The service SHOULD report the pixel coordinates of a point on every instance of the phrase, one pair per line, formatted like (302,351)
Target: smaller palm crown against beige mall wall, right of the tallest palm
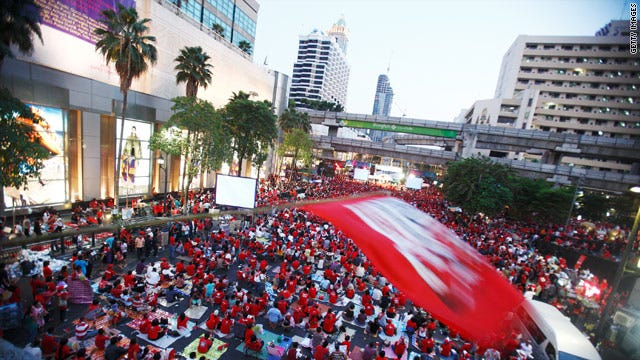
(193,69)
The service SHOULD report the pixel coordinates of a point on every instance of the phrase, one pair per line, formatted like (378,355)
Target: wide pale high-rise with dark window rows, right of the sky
(587,85)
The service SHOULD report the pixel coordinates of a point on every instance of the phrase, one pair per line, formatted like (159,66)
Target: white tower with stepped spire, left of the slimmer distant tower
(321,71)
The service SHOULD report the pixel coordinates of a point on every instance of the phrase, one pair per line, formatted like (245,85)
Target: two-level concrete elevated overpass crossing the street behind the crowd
(457,137)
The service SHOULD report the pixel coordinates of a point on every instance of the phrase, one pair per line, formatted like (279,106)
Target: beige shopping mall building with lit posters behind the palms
(69,83)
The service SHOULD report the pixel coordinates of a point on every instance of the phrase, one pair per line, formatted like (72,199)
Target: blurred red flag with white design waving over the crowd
(428,262)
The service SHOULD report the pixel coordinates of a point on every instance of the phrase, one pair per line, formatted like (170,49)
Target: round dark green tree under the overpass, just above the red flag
(479,185)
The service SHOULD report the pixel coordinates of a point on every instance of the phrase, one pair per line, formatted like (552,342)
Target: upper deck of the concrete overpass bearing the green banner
(426,132)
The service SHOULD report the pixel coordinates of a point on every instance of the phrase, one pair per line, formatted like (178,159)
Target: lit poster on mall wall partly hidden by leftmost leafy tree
(52,186)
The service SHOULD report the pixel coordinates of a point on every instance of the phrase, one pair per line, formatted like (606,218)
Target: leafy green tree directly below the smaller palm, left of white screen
(196,132)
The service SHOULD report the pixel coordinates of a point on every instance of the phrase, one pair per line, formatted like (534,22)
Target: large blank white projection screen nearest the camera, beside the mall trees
(235,191)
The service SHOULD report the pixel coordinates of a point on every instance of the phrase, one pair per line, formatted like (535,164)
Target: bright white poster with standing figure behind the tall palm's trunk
(134,170)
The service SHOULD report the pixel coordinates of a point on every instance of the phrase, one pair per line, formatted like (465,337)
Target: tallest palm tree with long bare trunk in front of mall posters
(124,43)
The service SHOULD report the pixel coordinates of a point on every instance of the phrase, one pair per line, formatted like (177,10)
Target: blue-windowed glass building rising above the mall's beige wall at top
(237,18)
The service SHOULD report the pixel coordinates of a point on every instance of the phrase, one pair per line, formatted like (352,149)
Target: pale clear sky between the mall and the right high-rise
(441,55)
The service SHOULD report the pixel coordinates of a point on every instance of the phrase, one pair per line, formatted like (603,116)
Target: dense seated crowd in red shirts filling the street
(319,280)
